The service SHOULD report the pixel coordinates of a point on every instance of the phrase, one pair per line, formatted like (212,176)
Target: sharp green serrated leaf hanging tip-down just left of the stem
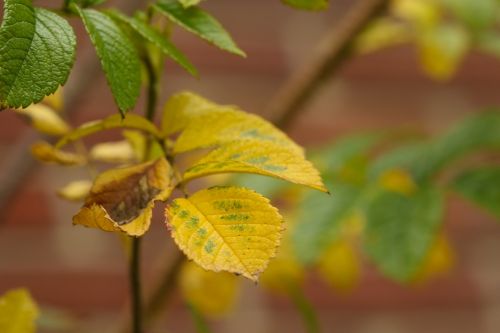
(118,57)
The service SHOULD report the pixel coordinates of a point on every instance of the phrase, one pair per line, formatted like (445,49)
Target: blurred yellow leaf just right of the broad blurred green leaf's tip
(439,261)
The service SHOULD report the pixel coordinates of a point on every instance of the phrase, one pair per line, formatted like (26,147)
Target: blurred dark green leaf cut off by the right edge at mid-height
(482,186)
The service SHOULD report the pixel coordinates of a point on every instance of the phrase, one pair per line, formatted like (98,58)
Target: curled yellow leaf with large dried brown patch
(122,199)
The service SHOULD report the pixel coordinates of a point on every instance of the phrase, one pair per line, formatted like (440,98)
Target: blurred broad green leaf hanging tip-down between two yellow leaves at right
(401,229)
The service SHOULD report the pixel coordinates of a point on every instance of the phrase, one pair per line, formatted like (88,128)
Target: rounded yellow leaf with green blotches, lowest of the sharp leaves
(226,228)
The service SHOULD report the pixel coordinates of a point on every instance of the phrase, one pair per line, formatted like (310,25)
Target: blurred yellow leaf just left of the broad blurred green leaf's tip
(340,267)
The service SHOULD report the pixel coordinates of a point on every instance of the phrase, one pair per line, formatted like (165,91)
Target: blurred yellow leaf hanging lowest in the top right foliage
(442,50)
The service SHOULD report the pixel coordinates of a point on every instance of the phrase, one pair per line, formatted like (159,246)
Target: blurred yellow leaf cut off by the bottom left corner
(18,312)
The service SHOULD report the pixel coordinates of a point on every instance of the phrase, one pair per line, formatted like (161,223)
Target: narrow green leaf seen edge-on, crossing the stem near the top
(158,39)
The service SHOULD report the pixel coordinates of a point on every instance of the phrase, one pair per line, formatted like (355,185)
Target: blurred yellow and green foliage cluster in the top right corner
(443,31)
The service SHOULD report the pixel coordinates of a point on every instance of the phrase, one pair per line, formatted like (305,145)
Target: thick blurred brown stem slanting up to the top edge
(330,54)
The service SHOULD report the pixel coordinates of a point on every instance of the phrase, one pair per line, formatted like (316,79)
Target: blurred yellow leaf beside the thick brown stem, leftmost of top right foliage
(382,33)
